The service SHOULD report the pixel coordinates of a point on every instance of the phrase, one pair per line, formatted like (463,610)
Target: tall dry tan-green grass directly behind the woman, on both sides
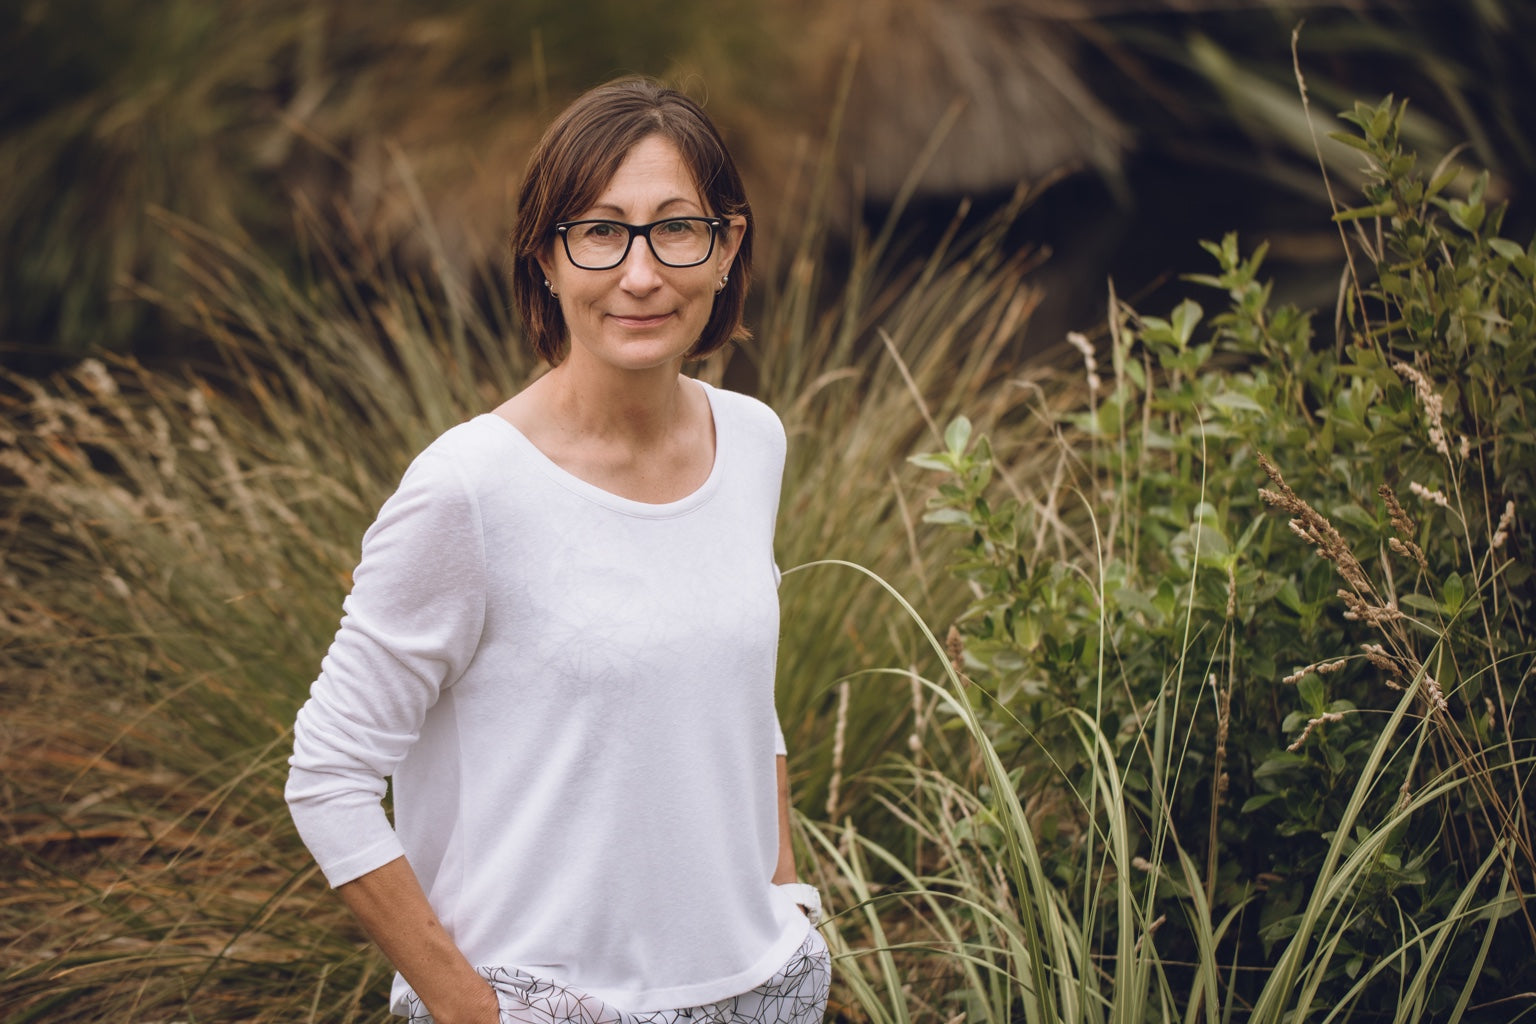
(176,546)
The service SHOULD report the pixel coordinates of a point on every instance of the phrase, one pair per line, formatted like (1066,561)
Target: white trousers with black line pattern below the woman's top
(795,996)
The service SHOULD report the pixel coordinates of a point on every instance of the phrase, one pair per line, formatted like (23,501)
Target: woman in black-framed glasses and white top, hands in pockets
(561,635)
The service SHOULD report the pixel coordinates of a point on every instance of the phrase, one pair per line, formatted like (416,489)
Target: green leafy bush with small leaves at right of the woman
(1285,698)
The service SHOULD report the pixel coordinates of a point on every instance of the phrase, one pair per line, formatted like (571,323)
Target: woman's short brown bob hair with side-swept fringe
(577,160)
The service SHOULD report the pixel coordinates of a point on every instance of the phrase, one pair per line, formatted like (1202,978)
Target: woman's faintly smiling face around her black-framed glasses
(641,314)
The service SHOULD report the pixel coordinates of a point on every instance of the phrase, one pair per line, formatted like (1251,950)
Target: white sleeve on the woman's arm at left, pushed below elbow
(409,629)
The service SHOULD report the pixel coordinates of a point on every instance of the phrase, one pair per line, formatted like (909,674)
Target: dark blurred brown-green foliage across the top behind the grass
(1160,122)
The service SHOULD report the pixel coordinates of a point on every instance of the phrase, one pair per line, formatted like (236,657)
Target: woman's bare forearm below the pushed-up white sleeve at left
(394,911)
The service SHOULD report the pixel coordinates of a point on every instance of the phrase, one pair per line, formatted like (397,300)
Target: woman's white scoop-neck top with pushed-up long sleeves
(574,696)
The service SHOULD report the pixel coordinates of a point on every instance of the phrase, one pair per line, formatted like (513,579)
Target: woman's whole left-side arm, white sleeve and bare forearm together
(412,624)
